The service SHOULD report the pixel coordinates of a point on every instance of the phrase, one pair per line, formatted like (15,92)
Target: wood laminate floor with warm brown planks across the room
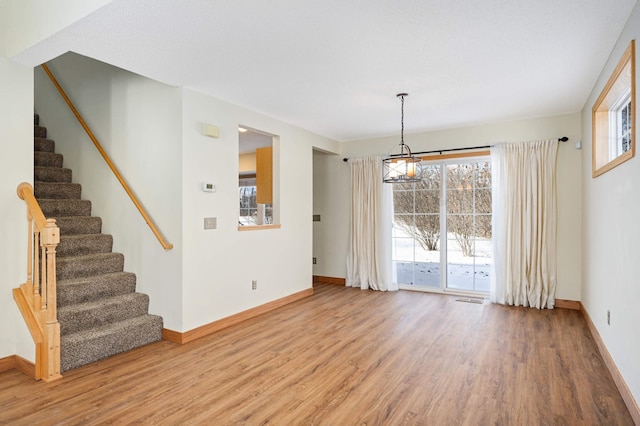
(345,357)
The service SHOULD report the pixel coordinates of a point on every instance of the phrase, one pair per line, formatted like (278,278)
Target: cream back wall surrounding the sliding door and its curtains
(331,187)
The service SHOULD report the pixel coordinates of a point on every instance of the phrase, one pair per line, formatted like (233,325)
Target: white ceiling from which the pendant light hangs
(335,66)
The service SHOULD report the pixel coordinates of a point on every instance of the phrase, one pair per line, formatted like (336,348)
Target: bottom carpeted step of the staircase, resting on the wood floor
(92,345)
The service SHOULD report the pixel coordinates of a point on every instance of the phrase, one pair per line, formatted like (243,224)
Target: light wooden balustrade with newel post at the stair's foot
(36,298)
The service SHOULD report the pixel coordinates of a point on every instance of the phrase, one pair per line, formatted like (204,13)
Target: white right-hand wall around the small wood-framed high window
(611,229)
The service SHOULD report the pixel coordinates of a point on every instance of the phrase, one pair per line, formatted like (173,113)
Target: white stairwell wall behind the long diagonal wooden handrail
(138,123)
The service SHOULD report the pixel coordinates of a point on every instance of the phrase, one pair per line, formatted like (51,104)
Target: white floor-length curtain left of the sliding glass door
(369,255)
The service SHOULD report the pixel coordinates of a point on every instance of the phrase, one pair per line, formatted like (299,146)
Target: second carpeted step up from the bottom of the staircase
(98,313)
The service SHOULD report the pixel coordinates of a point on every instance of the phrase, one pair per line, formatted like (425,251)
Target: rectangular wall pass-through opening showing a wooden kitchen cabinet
(256,180)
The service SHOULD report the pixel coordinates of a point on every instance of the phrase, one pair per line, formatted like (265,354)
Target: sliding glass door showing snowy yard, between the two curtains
(442,228)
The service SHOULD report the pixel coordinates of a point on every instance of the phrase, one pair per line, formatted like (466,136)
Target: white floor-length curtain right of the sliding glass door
(524,223)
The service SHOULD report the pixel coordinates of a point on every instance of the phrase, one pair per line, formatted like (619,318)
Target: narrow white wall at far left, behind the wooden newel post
(16,163)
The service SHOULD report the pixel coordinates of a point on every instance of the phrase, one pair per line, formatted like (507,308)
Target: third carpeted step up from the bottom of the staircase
(86,289)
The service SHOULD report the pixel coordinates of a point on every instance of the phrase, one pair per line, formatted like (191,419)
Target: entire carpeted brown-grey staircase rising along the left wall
(99,311)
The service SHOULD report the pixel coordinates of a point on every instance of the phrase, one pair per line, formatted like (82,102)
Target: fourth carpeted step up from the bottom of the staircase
(87,265)
